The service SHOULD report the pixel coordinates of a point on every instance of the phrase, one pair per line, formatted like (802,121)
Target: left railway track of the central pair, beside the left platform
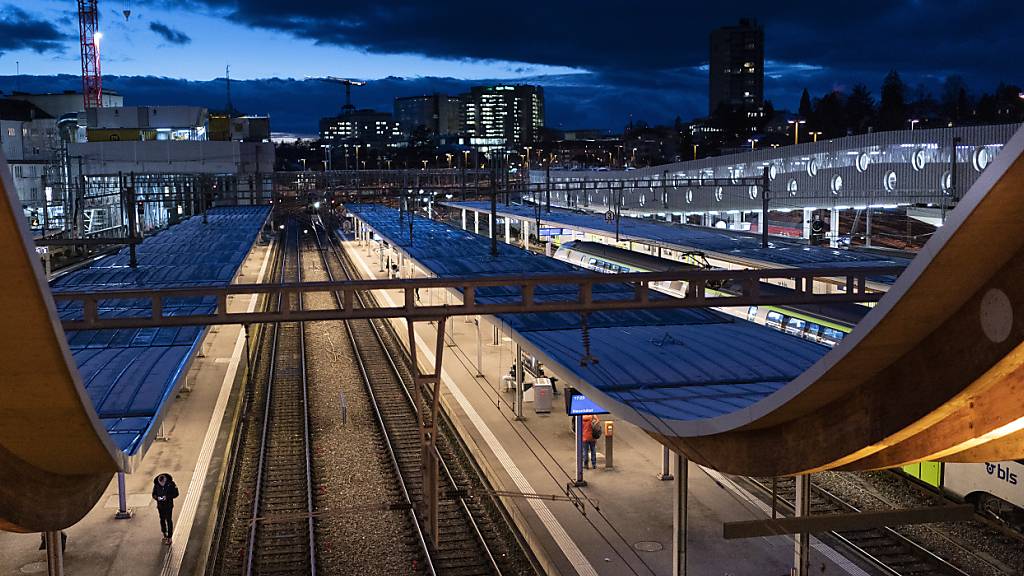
(268,518)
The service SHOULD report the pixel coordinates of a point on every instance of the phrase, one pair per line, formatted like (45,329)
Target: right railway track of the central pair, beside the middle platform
(476,537)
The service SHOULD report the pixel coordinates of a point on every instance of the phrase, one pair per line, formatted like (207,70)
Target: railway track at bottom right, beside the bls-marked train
(884,549)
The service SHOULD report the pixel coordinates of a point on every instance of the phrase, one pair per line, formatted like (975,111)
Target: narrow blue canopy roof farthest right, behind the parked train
(781,252)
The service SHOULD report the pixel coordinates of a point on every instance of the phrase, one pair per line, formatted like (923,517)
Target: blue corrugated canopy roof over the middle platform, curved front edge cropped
(684,364)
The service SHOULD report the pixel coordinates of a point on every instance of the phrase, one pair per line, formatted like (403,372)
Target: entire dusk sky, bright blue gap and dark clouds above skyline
(601,62)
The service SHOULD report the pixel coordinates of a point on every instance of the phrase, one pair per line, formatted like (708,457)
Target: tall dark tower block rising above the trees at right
(737,67)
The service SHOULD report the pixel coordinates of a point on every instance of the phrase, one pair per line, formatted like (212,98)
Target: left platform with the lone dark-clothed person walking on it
(190,443)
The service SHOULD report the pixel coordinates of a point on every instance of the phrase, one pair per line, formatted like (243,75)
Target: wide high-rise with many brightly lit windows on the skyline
(503,115)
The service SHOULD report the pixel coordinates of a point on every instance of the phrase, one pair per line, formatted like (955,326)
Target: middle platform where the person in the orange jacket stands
(624,524)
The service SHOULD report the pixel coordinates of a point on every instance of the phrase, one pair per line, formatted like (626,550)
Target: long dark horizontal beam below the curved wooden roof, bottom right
(843,522)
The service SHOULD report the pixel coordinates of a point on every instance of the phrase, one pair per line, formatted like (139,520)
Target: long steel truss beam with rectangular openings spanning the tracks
(587,289)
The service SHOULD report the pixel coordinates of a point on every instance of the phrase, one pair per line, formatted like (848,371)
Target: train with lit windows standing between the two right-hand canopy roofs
(826,324)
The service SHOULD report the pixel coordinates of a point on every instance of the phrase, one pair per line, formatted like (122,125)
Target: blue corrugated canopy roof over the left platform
(130,374)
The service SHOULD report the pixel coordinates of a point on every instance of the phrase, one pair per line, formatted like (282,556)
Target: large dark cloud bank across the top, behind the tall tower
(974,38)
